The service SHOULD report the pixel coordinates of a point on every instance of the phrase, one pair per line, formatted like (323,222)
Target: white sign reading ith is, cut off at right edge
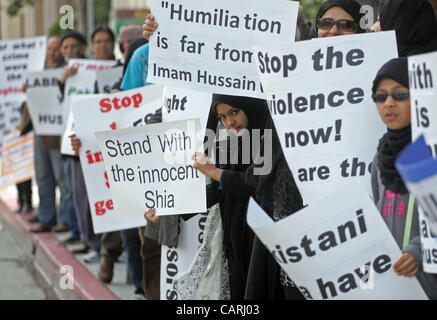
(423,92)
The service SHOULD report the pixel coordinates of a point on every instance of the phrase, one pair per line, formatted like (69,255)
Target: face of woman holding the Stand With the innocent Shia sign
(233,119)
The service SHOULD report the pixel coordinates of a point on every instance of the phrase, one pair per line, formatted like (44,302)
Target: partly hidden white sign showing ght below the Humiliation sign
(181,104)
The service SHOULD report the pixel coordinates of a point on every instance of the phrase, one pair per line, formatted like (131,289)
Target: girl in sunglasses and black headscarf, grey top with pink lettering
(394,202)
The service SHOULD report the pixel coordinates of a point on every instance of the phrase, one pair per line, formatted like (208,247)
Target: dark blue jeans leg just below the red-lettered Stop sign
(131,241)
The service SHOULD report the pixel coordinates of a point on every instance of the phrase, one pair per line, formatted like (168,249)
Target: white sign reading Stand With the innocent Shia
(151,167)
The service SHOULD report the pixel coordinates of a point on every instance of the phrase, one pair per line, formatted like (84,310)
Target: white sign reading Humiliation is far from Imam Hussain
(206,45)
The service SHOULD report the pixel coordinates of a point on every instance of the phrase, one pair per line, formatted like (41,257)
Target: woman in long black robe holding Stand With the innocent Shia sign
(254,273)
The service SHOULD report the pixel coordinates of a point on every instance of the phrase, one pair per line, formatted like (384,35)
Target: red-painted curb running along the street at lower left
(48,258)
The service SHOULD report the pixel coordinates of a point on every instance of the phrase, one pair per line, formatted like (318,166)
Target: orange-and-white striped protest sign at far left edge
(17,163)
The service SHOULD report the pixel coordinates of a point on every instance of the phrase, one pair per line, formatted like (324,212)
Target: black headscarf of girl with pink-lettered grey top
(394,141)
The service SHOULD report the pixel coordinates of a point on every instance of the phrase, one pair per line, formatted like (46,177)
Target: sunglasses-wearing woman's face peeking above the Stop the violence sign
(336,14)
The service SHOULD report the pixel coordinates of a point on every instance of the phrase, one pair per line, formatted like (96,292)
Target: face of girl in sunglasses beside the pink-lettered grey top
(395,114)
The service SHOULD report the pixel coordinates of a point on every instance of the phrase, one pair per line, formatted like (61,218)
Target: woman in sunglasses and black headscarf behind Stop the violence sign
(338,17)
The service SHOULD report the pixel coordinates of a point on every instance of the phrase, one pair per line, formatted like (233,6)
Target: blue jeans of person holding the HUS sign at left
(49,173)
